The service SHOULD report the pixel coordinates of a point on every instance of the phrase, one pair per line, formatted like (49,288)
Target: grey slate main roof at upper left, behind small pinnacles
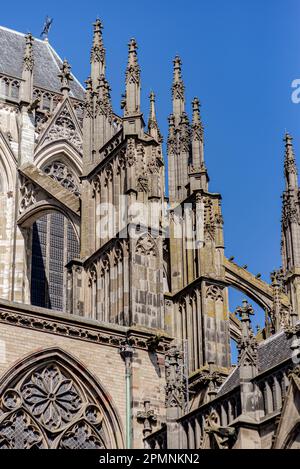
(47,63)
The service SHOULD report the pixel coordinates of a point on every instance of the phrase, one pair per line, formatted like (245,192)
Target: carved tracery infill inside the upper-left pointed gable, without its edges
(64,129)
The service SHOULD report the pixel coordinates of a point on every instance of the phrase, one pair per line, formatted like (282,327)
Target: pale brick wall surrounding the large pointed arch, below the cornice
(103,361)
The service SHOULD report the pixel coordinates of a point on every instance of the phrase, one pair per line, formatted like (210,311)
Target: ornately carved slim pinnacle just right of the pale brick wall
(175,379)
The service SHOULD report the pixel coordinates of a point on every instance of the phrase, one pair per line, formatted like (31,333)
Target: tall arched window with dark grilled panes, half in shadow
(54,244)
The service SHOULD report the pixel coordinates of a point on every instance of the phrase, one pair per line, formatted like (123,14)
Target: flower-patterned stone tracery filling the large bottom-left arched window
(49,407)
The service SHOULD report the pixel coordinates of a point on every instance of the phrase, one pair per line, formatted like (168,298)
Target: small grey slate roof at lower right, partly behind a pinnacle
(271,352)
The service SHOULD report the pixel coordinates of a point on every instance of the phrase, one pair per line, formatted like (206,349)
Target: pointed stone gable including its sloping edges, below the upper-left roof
(63,126)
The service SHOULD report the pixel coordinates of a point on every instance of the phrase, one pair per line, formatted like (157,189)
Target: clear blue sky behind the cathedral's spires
(239,57)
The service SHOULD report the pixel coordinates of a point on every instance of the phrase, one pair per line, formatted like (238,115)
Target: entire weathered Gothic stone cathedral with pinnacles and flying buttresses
(114,317)
